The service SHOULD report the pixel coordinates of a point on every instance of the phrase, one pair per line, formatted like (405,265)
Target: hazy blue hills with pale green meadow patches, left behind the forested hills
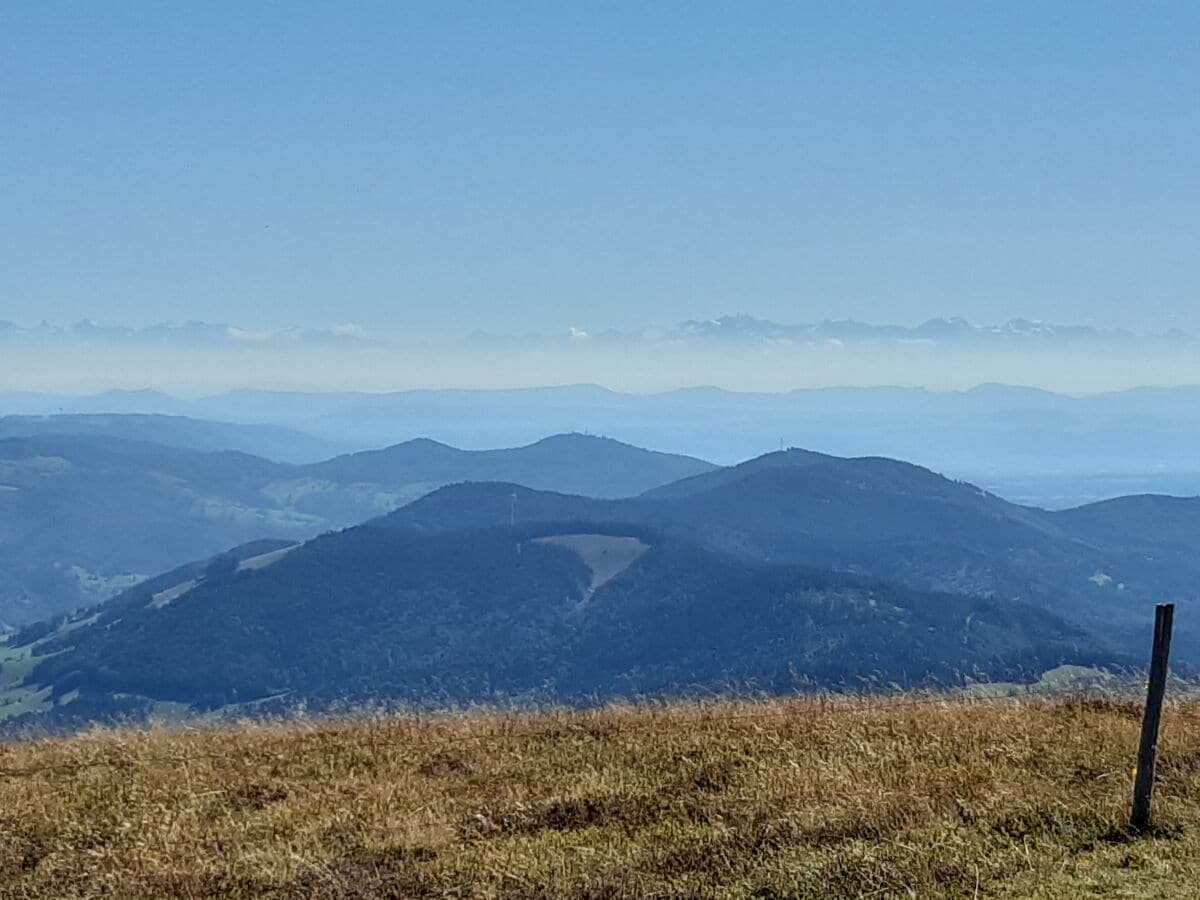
(85,514)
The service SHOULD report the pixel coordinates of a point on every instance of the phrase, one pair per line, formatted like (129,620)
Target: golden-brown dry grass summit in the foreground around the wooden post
(800,799)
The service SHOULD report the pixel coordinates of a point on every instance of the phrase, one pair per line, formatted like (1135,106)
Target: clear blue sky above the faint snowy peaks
(435,169)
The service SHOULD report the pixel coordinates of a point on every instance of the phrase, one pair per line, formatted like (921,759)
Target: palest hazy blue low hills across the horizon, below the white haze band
(1029,446)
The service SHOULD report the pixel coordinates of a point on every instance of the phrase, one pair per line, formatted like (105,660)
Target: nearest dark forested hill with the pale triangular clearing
(536,613)
